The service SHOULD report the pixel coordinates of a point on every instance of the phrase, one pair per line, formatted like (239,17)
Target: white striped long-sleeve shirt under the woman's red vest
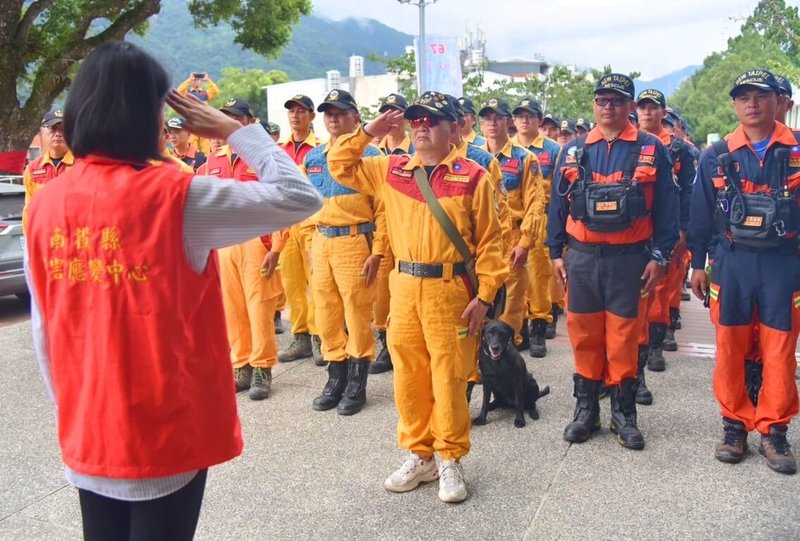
(217,214)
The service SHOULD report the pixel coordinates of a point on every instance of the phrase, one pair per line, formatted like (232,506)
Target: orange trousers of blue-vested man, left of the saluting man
(341,297)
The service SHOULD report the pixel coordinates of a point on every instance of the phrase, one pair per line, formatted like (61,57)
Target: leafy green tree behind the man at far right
(770,39)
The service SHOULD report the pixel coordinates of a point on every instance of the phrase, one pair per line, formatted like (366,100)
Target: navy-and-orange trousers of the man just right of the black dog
(603,323)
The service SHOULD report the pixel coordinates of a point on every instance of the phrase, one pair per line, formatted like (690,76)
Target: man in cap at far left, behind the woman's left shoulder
(55,159)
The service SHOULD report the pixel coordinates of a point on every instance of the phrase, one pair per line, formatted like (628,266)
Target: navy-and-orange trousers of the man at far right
(756,289)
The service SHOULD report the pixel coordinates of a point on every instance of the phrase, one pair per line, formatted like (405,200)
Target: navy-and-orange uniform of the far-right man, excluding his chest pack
(750,286)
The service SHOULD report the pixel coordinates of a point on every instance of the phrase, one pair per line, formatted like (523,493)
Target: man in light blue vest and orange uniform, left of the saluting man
(347,246)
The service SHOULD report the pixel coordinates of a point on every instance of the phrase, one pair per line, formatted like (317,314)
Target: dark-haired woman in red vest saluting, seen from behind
(127,313)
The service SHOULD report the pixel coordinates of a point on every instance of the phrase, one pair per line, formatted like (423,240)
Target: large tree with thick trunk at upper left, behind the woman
(42,42)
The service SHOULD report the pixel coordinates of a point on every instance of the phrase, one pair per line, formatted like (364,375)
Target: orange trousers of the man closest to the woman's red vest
(250,301)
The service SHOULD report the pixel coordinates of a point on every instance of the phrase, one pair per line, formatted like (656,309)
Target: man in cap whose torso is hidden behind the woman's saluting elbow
(295,268)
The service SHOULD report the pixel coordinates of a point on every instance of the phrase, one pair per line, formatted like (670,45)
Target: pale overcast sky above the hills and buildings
(653,38)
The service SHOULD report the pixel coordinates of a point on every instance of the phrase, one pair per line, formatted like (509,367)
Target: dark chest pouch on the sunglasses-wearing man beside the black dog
(608,207)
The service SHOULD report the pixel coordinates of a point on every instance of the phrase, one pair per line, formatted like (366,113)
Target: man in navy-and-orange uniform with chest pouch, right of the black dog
(615,205)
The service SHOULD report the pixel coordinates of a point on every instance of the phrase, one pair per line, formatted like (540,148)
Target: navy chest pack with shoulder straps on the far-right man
(760,221)
